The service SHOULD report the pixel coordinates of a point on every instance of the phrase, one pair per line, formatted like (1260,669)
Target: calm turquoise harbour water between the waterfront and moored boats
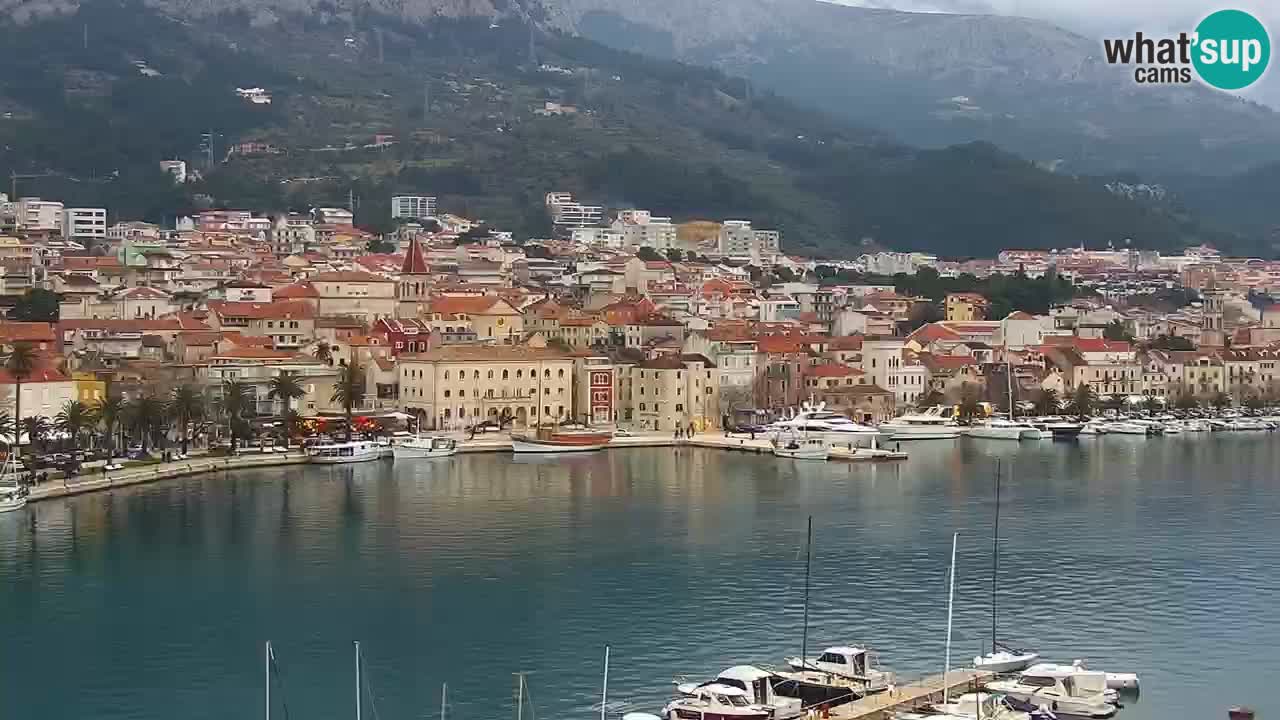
(1155,557)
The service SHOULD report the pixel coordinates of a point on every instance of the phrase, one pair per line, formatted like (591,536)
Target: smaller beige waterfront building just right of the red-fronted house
(675,393)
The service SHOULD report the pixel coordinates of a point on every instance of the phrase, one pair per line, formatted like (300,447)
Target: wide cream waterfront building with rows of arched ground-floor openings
(456,386)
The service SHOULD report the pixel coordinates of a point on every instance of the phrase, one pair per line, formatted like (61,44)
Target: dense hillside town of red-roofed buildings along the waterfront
(234,326)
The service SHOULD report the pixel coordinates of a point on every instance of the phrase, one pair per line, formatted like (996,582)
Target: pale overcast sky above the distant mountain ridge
(1103,19)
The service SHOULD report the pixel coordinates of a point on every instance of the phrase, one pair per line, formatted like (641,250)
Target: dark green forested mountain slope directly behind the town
(490,113)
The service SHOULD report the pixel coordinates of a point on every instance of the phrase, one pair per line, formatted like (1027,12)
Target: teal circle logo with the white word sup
(1232,49)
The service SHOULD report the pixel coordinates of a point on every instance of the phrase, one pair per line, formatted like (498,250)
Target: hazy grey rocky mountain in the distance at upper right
(938,79)
